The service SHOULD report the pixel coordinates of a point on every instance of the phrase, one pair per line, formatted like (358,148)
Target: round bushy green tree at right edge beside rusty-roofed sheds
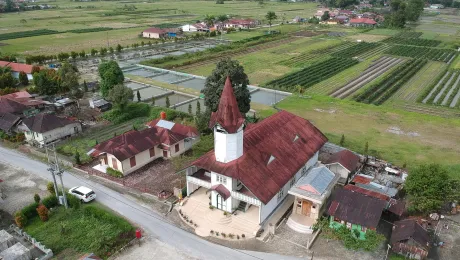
(428,188)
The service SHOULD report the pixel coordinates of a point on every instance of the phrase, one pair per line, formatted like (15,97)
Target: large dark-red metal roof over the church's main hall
(275,137)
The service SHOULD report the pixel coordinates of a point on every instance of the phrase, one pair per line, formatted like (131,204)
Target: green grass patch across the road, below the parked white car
(88,229)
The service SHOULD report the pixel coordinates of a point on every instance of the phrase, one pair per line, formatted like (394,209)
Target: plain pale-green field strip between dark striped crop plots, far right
(411,91)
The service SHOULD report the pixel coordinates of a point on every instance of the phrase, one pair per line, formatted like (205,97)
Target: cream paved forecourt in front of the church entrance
(197,209)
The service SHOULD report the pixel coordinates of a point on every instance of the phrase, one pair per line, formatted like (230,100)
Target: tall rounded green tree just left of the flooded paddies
(111,75)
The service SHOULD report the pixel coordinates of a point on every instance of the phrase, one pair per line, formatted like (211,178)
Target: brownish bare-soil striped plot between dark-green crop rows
(372,72)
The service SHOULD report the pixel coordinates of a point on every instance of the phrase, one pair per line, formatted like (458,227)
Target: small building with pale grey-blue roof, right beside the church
(311,193)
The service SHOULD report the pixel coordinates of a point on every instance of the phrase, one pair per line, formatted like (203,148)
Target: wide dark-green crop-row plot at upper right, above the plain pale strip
(444,55)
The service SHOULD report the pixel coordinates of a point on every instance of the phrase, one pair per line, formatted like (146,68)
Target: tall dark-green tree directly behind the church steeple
(215,84)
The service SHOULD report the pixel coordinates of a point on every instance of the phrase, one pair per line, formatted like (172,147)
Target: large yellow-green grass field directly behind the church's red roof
(437,140)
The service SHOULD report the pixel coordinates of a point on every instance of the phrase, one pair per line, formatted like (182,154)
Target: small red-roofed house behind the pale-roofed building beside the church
(344,163)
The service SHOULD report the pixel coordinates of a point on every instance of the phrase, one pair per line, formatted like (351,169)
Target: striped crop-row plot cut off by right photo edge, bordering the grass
(445,91)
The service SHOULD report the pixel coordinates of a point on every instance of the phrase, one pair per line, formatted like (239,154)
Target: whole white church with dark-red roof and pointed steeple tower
(253,165)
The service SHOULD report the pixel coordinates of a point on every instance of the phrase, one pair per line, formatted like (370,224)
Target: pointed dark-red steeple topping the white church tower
(228,115)
